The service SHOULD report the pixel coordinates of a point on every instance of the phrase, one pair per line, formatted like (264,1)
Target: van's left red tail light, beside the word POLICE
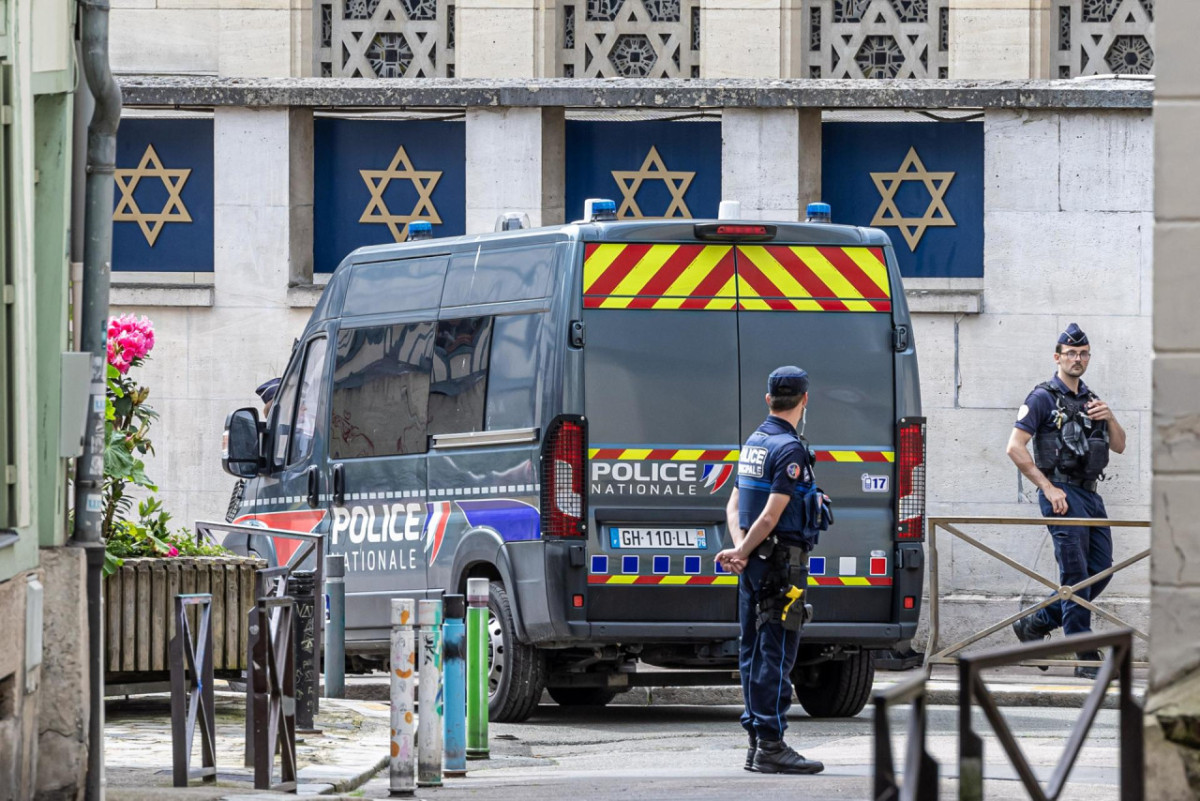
(565,475)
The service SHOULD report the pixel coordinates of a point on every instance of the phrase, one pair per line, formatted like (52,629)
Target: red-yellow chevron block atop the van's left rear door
(659,276)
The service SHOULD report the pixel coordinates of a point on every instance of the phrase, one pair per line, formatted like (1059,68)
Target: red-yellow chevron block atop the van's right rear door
(777,278)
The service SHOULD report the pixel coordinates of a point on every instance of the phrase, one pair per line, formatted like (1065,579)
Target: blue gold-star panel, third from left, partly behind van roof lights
(651,170)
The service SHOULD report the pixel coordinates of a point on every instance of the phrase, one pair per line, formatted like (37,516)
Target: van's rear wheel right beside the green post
(517,673)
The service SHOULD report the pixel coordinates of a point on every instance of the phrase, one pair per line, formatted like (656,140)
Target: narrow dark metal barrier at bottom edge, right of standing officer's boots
(920,768)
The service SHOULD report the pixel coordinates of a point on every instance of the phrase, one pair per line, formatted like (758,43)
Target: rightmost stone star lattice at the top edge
(1103,37)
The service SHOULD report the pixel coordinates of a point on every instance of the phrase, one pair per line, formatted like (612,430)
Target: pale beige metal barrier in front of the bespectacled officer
(1060,593)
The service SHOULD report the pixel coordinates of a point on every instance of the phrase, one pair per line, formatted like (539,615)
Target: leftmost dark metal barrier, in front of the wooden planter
(191,691)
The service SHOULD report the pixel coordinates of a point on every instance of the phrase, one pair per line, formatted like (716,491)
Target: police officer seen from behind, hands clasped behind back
(766,523)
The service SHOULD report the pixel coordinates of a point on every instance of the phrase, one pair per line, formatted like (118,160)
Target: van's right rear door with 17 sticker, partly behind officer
(829,311)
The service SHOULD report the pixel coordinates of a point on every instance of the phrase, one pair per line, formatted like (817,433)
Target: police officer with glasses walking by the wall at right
(1073,432)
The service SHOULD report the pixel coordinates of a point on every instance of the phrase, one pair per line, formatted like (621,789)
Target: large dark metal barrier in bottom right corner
(973,688)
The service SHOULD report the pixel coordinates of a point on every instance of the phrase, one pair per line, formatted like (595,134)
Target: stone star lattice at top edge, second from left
(633,39)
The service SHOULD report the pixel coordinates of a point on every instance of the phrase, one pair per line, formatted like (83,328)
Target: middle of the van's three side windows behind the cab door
(459,392)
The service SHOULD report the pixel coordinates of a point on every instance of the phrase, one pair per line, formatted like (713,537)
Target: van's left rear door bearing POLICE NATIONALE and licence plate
(662,393)
